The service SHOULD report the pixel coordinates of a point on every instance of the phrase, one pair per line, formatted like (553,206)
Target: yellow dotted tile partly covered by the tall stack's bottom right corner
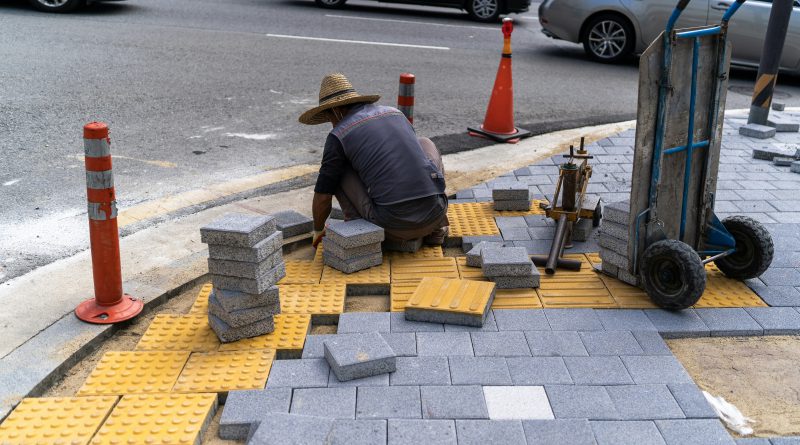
(289,335)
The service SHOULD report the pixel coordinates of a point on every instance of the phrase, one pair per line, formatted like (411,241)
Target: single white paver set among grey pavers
(517,402)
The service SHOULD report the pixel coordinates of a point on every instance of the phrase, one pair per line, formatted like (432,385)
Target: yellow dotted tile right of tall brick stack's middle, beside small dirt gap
(313,299)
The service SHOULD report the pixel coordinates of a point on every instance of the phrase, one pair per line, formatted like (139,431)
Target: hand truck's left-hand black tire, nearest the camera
(691,273)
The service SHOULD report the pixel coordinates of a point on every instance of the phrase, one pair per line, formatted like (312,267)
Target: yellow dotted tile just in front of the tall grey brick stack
(225,371)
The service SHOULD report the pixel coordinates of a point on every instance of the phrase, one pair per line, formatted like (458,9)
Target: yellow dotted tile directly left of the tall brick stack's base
(179,333)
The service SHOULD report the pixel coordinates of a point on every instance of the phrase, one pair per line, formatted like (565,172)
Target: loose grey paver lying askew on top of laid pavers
(357,356)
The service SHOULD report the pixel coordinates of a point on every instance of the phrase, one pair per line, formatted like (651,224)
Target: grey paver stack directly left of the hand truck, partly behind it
(613,241)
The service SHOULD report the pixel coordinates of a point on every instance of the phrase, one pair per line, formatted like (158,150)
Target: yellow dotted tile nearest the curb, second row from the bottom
(134,372)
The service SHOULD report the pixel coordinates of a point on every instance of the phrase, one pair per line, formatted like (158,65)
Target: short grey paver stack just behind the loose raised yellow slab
(509,267)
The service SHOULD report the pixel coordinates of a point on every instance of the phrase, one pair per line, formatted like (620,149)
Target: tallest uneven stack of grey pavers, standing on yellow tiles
(245,262)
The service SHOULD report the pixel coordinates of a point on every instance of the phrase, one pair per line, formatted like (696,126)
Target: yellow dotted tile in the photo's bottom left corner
(55,420)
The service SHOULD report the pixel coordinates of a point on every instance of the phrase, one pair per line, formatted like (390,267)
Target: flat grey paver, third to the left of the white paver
(339,403)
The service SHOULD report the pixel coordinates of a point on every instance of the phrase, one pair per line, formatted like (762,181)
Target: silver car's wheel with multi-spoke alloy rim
(608,38)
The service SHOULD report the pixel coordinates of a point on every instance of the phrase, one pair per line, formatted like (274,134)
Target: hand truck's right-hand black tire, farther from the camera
(754,249)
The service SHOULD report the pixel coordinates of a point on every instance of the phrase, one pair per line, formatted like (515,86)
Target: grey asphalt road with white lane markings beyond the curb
(202,91)
